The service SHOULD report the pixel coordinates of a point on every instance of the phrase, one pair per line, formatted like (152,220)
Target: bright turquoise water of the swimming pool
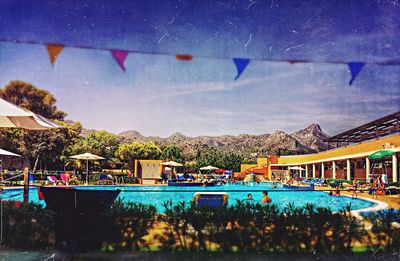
(156,195)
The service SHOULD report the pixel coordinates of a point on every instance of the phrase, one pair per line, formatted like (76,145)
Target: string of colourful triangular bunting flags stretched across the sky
(54,50)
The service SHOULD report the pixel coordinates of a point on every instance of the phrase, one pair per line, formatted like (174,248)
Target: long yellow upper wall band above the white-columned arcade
(369,146)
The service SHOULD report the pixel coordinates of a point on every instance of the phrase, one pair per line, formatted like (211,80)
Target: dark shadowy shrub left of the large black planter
(28,226)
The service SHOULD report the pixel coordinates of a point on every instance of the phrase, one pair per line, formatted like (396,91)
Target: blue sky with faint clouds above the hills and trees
(158,95)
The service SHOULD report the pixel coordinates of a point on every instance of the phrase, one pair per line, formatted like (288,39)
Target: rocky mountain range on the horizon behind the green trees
(307,140)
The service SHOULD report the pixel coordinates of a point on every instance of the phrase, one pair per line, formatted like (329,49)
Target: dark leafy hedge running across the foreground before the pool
(244,227)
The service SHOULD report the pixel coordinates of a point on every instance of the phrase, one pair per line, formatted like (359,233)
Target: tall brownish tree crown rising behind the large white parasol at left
(32,98)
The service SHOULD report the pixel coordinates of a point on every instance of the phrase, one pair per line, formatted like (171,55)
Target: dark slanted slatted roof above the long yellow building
(374,129)
